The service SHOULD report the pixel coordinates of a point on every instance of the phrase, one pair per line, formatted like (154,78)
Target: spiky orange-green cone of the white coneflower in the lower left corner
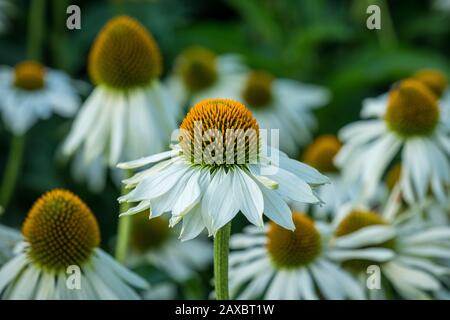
(61,231)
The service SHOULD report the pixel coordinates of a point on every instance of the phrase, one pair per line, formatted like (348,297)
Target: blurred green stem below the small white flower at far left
(12,169)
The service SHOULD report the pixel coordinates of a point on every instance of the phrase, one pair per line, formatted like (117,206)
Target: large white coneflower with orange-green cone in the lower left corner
(61,239)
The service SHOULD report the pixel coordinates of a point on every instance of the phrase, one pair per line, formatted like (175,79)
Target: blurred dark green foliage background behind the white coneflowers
(315,41)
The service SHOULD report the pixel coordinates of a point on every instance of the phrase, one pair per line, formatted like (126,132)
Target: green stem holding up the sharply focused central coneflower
(221,249)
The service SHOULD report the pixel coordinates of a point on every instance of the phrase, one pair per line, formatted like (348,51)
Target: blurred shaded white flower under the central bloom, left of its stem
(154,243)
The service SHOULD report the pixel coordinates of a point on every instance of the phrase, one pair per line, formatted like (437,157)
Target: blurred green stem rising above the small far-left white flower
(36,29)
